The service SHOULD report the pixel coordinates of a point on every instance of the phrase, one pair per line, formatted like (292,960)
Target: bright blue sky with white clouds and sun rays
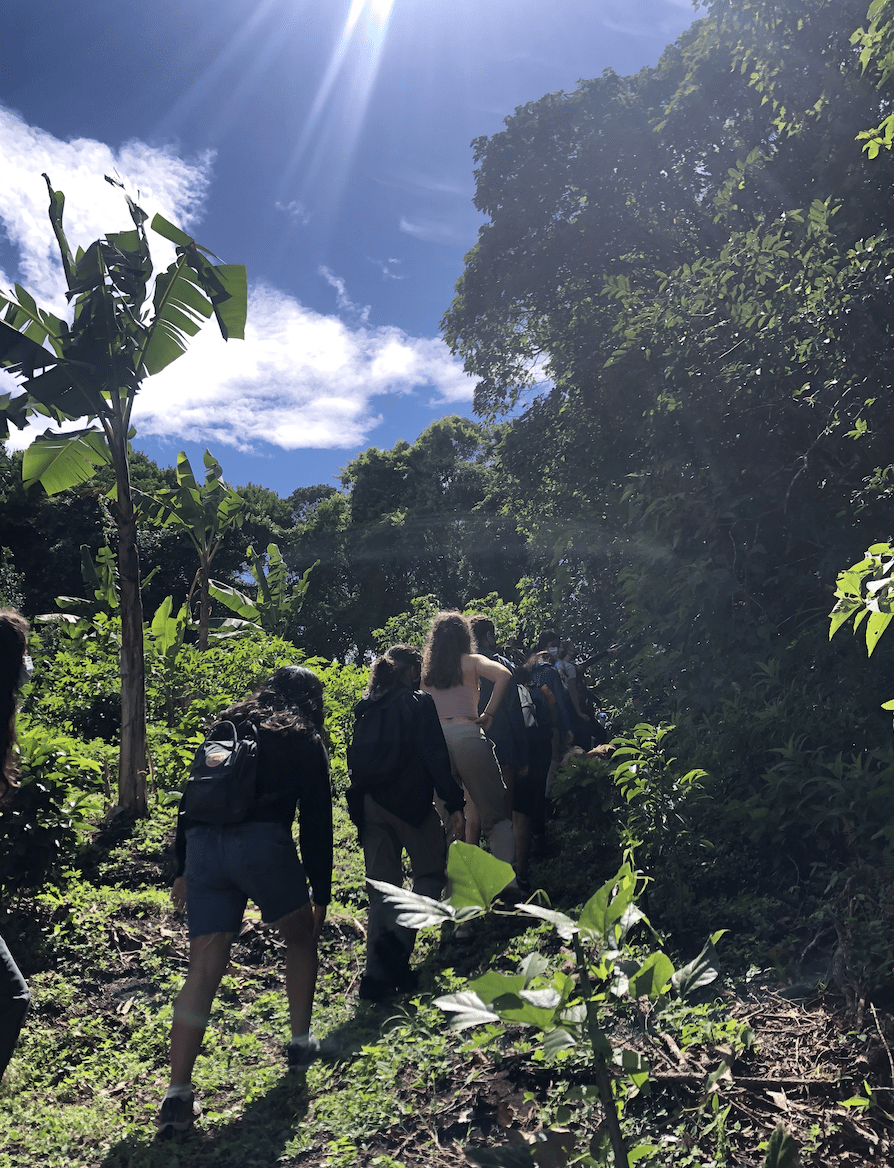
(327,147)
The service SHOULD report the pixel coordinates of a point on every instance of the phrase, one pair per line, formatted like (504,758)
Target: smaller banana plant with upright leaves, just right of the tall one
(206,512)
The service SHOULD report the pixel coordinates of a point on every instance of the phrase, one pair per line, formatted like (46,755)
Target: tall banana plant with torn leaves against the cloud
(123,330)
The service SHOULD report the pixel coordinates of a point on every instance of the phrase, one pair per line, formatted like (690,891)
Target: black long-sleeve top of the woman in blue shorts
(293,775)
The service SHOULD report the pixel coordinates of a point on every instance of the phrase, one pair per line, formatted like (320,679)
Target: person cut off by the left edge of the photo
(16,668)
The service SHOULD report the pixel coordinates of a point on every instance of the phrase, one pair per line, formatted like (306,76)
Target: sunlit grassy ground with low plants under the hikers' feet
(106,955)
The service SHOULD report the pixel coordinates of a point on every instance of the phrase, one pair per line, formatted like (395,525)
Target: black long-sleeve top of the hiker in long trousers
(408,791)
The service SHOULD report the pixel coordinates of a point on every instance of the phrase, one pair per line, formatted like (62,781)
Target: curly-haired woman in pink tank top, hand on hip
(452,673)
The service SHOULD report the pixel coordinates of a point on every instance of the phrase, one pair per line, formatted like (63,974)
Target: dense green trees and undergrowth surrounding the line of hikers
(680,310)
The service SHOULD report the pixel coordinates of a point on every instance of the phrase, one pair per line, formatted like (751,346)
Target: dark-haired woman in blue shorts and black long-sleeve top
(223,865)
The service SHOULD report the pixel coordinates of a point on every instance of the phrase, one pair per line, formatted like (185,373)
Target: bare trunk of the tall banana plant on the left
(133,757)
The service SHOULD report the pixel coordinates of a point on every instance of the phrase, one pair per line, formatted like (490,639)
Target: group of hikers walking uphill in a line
(449,743)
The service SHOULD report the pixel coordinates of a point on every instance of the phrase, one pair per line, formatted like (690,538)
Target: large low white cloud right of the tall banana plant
(300,380)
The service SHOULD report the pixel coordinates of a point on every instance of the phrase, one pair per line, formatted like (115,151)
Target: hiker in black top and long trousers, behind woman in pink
(397,761)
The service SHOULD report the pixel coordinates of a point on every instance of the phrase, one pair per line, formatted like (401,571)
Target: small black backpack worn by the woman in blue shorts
(221,785)
